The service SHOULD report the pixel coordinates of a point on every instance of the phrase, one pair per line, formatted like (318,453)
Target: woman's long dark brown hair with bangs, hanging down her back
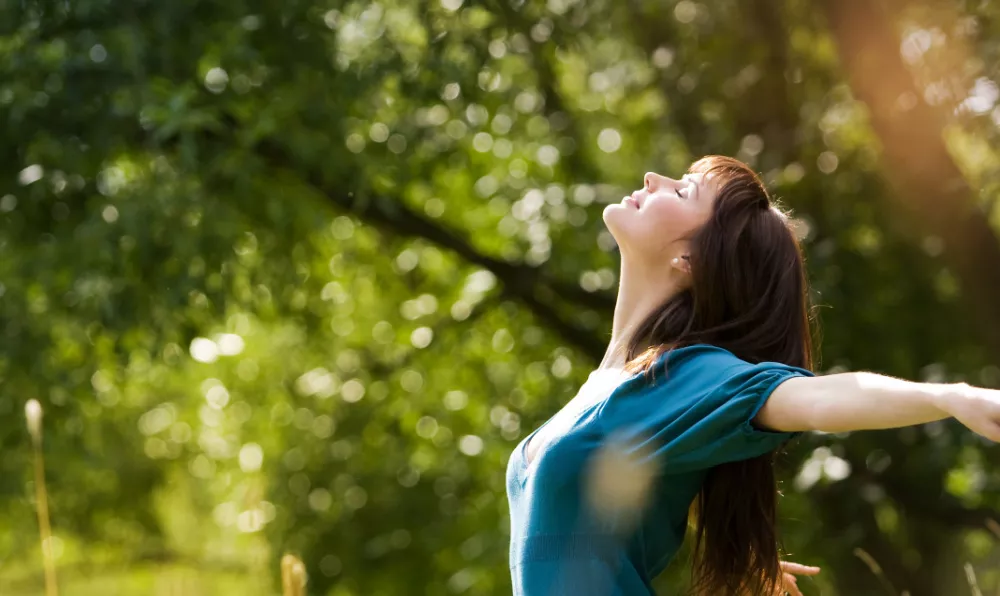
(748,295)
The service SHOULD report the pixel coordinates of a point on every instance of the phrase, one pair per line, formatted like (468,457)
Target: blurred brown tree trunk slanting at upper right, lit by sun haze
(929,187)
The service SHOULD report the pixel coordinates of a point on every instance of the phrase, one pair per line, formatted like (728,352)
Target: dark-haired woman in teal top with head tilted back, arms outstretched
(707,373)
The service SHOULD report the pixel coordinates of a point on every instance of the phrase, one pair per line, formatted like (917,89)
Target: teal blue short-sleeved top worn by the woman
(602,507)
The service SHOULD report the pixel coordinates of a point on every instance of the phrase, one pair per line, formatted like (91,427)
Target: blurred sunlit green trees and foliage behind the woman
(296,276)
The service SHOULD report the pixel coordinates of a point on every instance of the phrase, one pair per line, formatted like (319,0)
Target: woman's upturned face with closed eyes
(655,222)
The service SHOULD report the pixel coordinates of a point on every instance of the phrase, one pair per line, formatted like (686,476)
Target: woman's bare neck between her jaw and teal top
(641,290)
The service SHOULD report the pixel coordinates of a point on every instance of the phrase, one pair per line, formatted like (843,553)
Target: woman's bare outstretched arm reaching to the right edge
(865,401)
